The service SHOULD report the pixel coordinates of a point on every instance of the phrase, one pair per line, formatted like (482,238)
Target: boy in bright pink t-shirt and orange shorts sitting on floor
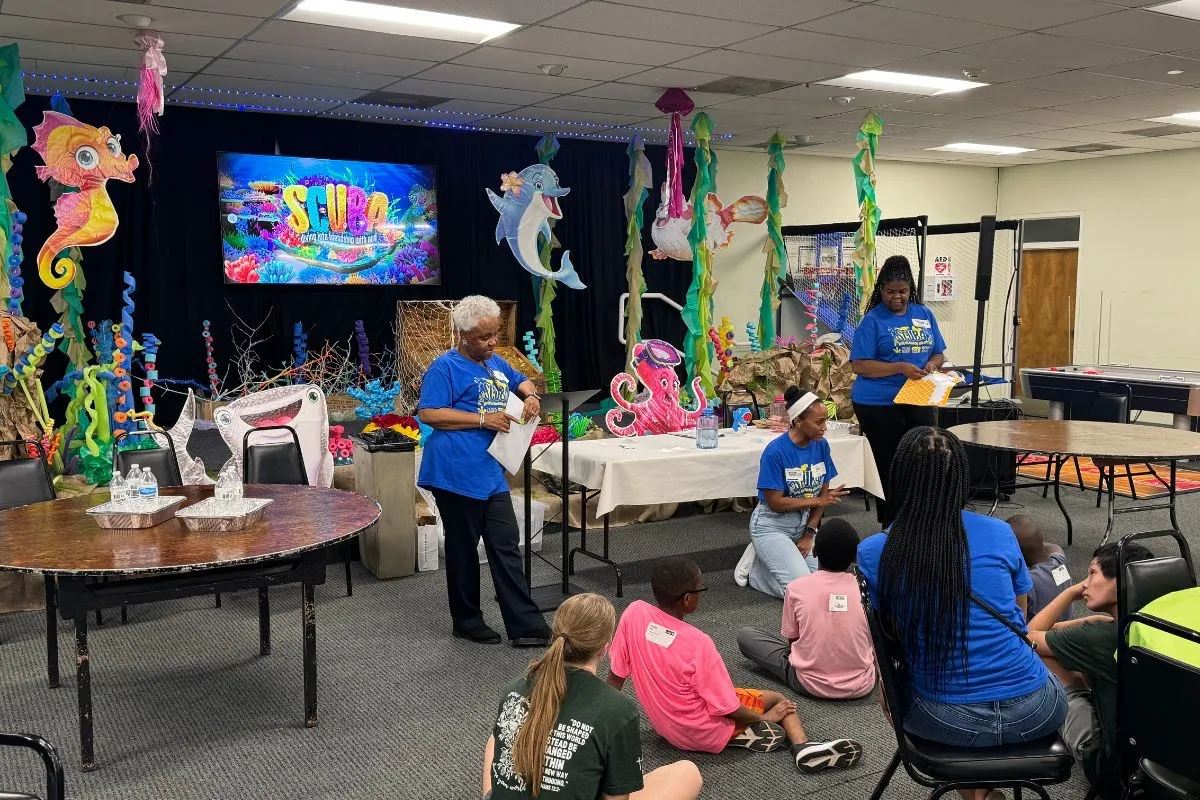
(686,689)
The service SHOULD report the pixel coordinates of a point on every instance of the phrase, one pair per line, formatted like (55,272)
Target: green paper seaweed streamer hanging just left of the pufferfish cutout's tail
(698,311)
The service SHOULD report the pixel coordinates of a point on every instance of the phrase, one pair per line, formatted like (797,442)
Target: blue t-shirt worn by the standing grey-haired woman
(458,461)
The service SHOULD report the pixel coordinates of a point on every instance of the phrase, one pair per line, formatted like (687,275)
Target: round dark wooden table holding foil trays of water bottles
(169,562)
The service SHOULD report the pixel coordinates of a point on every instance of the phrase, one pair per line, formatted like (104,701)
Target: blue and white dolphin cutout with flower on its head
(530,202)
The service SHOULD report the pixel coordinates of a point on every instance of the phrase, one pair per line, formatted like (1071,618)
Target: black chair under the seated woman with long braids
(946,769)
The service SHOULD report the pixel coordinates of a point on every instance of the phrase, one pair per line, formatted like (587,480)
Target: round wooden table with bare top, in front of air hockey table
(1103,442)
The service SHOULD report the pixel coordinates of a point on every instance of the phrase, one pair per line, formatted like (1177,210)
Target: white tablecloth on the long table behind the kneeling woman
(646,471)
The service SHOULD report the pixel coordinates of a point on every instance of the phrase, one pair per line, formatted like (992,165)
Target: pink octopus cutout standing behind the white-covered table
(658,411)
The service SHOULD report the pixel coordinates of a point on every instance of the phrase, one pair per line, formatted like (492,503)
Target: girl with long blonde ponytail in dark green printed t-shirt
(565,731)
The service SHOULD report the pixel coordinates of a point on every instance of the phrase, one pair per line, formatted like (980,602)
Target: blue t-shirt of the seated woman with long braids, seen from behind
(1000,666)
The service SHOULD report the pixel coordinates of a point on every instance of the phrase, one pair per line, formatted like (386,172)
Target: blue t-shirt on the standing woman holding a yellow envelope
(883,336)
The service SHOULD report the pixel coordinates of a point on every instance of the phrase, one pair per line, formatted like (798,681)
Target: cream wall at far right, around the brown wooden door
(1137,248)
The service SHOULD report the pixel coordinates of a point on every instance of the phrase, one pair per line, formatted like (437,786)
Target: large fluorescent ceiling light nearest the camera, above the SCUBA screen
(393,20)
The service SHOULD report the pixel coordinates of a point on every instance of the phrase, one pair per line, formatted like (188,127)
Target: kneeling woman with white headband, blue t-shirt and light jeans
(794,491)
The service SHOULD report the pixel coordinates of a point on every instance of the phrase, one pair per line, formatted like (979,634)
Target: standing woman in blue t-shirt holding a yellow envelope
(898,340)
